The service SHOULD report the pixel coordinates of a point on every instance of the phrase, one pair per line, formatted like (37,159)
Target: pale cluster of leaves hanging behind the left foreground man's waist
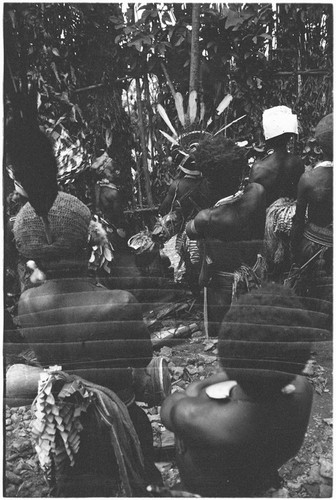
(56,428)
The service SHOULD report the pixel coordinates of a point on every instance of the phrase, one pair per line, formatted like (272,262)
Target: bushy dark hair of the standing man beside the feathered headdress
(223,163)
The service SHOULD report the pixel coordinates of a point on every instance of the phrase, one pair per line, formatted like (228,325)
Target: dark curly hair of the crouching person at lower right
(269,329)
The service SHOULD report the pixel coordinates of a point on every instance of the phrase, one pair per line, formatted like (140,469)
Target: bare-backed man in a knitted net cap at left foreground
(71,321)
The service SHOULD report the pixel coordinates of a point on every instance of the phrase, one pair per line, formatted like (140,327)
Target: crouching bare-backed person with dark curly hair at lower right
(235,429)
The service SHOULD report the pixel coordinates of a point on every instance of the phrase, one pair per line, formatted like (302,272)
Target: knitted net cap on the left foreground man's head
(69,221)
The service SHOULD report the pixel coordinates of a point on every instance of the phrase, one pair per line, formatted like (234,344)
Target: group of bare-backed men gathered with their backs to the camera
(264,329)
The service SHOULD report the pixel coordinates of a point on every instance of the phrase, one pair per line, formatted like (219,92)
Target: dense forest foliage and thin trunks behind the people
(101,69)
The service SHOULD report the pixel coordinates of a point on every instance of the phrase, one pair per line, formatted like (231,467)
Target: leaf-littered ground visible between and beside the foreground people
(309,474)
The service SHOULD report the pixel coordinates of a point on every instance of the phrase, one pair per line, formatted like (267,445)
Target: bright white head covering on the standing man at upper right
(279,121)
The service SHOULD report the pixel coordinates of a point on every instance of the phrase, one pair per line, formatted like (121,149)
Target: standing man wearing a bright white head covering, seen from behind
(279,173)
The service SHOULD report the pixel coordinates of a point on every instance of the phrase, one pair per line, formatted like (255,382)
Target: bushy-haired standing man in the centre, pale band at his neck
(232,229)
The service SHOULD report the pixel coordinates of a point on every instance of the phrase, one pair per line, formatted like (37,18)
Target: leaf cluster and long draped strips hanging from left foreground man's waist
(61,402)
